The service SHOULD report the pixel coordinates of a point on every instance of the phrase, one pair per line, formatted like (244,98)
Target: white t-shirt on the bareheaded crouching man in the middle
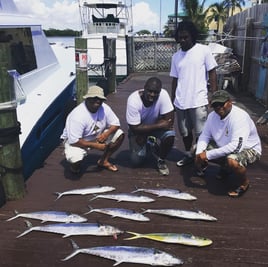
(137,113)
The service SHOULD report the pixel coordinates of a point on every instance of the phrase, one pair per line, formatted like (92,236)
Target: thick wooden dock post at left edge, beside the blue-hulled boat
(12,180)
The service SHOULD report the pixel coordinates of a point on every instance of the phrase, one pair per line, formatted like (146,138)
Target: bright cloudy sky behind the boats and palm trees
(64,14)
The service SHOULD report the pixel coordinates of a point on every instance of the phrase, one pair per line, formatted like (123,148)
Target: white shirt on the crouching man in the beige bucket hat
(81,123)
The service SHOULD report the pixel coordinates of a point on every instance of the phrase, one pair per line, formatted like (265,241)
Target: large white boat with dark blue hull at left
(44,77)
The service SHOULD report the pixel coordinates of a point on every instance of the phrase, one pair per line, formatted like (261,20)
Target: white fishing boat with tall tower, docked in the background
(103,19)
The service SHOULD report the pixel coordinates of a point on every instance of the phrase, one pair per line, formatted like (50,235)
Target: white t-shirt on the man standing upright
(190,68)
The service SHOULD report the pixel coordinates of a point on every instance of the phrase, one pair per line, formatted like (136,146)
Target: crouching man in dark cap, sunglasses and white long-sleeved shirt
(230,139)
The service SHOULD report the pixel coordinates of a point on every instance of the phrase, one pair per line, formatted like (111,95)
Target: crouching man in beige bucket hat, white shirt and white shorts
(92,125)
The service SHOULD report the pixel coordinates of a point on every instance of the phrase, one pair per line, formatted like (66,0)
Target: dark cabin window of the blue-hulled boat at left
(21,48)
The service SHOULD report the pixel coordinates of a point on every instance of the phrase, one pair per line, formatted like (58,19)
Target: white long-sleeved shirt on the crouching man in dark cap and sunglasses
(234,133)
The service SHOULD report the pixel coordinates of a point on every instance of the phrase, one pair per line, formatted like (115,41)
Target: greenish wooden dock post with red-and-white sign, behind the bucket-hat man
(81,61)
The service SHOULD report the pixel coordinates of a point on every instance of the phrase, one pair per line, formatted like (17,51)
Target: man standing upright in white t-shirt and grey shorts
(192,67)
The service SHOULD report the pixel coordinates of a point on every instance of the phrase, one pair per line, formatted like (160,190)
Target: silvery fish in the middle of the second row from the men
(121,213)
